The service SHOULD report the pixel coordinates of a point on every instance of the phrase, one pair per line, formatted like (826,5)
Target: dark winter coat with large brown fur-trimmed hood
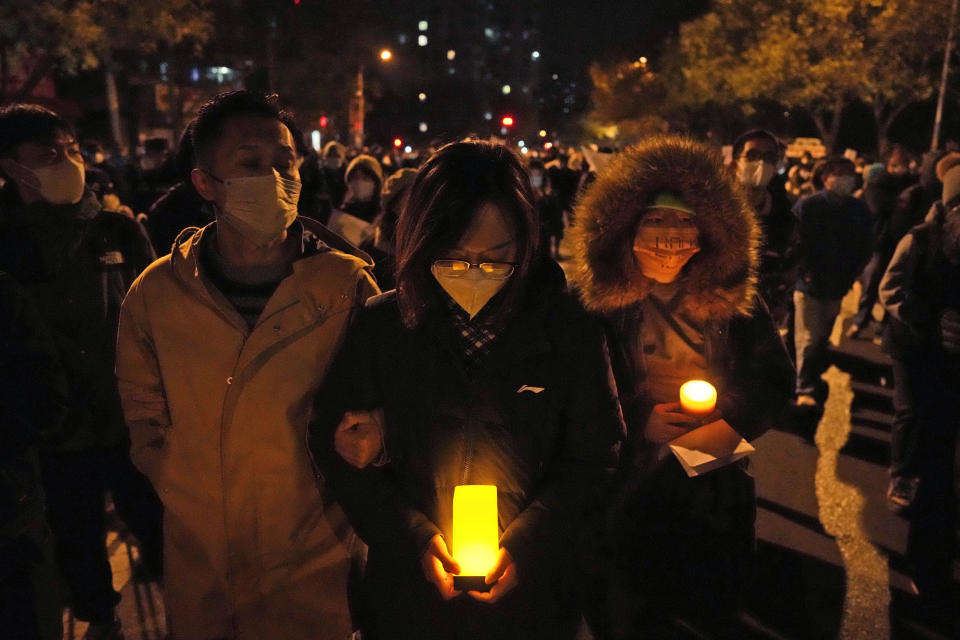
(658,516)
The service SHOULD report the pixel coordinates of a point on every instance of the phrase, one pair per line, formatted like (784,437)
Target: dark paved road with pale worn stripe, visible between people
(830,554)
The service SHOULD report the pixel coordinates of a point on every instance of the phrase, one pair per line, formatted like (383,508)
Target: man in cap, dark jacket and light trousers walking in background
(836,240)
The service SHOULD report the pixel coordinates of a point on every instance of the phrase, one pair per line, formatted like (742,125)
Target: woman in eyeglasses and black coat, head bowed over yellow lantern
(478,369)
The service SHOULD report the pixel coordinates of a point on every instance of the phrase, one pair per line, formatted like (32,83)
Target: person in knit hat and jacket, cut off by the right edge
(921,292)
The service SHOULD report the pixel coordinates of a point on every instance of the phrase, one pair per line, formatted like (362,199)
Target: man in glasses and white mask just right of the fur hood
(756,157)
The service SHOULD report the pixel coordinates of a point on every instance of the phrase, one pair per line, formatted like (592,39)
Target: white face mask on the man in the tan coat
(260,208)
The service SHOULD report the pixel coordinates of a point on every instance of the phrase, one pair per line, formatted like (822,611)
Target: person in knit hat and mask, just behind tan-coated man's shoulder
(362,203)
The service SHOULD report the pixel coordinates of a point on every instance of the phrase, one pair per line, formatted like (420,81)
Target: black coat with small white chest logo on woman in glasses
(539,419)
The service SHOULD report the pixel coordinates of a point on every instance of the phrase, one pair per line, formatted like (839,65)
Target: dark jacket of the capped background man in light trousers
(836,240)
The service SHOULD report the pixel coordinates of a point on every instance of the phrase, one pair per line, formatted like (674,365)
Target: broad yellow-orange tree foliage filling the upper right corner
(816,55)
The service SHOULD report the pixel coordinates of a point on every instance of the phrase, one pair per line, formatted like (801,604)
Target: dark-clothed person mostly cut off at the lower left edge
(33,403)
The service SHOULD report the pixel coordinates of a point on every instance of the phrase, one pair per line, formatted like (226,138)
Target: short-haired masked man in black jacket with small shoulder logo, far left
(77,261)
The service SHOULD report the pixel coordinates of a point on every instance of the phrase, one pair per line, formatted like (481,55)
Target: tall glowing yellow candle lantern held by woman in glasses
(476,535)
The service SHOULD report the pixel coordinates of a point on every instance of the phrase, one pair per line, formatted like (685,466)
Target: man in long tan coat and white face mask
(220,346)
